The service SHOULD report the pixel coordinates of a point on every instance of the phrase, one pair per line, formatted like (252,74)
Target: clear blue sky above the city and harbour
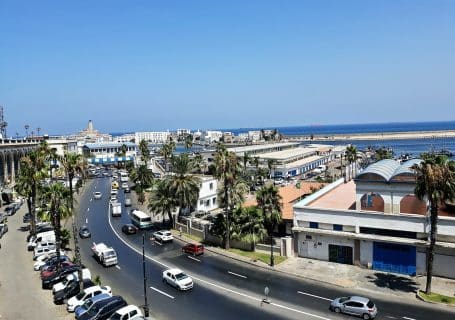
(155,65)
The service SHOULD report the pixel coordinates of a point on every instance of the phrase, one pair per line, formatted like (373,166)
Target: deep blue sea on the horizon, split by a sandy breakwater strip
(411,147)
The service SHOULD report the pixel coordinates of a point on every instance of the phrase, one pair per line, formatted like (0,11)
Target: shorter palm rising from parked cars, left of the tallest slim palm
(56,195)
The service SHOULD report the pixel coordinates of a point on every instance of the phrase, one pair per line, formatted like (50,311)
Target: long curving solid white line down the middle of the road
(259,300)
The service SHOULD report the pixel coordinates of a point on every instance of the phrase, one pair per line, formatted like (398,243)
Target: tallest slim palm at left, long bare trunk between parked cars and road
(74,164)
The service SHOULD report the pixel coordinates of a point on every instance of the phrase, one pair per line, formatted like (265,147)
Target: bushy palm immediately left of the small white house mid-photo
(184,185)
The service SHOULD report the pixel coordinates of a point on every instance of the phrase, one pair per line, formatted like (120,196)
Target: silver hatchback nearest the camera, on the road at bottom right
(355,305)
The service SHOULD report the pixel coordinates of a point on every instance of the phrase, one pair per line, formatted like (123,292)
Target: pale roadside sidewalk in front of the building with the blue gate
(346,276)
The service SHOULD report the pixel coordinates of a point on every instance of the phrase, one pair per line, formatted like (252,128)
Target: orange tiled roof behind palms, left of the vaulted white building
(290,194)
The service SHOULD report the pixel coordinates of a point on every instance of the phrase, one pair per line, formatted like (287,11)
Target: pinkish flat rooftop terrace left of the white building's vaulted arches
(342,197)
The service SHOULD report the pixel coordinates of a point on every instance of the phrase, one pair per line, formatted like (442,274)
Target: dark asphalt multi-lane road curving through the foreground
(224,288)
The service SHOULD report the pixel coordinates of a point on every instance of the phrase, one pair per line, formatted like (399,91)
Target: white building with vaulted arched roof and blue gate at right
(375,222)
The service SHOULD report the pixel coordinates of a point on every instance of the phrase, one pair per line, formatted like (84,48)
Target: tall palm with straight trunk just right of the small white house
(226,170)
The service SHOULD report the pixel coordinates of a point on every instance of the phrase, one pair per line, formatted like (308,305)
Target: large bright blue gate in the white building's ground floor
(395,258)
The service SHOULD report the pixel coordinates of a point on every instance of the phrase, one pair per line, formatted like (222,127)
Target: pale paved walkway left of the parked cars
(21,296)
